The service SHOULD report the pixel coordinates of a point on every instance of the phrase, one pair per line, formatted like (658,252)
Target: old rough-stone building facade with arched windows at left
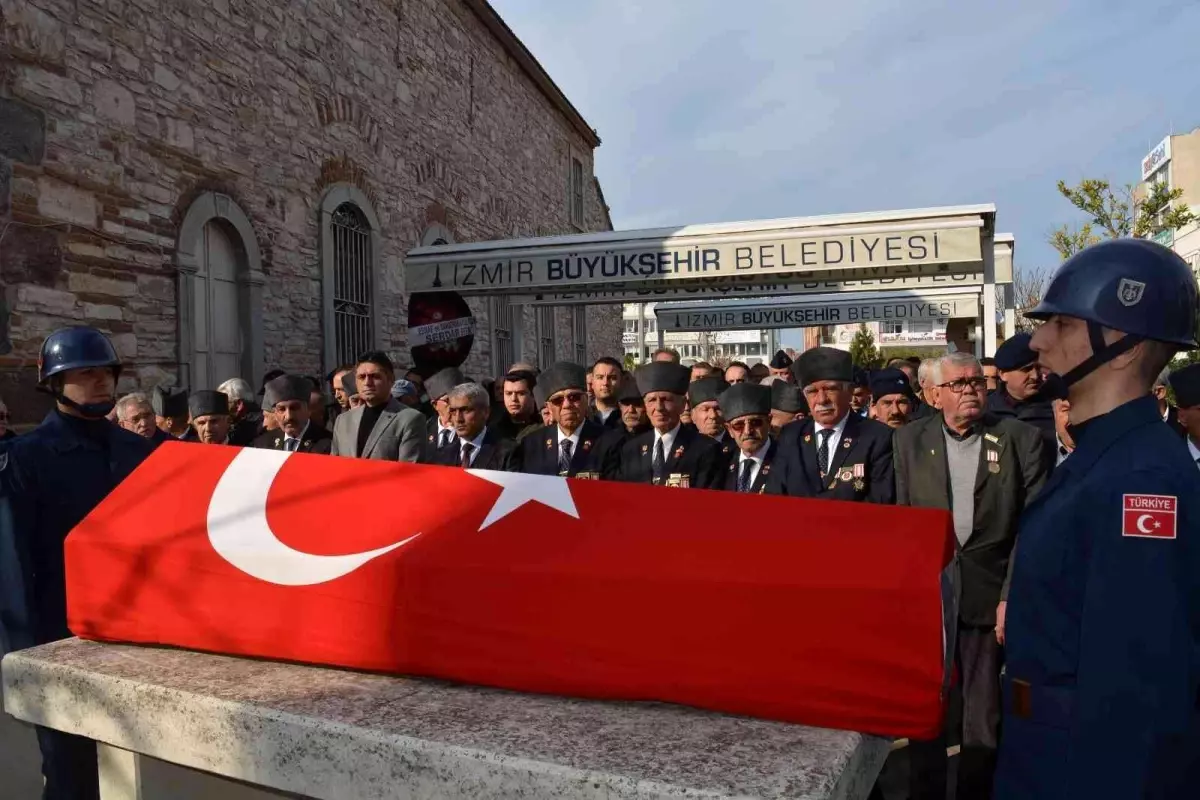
(230,188)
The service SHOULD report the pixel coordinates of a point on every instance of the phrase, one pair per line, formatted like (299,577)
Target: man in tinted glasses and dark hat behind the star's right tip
(567,447)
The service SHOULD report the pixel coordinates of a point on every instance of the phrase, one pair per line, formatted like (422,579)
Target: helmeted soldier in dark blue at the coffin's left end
(53,478)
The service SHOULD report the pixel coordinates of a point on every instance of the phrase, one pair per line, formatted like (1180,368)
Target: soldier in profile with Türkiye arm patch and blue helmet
(1102,693)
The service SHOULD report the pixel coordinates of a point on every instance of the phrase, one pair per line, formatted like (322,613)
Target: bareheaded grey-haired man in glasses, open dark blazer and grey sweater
(985,470)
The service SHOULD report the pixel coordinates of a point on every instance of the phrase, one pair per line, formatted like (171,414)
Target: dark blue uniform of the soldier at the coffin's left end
(51,480)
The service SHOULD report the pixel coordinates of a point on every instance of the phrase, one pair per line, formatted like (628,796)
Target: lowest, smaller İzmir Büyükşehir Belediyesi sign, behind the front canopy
(811,315)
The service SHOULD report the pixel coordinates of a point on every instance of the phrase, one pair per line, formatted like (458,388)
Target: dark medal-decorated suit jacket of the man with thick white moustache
(863,442)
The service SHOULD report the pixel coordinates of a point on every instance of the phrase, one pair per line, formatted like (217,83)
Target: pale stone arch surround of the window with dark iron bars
(337,196)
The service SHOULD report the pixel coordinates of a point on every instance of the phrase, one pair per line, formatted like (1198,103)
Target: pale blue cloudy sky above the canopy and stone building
(716,111)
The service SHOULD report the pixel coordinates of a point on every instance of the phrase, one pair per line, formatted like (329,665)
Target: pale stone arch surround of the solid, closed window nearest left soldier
(226,216)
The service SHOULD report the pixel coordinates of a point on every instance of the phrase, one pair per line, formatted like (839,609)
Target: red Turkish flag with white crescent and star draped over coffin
(817,612)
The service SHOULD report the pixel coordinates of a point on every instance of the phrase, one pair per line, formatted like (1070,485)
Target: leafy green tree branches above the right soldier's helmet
(1115,214)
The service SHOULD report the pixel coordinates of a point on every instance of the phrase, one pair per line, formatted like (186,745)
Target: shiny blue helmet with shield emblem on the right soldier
(1133,286)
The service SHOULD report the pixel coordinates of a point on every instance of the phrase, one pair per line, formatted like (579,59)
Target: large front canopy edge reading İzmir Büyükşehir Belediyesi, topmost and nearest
(759,252)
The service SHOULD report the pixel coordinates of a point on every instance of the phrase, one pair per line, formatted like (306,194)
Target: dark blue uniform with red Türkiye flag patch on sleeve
(1102,688)
